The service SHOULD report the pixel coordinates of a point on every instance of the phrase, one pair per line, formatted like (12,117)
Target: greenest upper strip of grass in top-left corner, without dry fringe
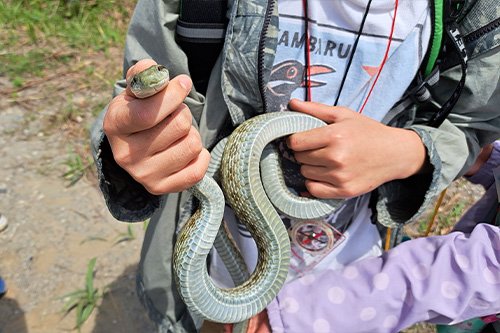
(79,23)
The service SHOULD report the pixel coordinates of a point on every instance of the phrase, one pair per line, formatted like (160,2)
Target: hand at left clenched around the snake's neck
(153,139)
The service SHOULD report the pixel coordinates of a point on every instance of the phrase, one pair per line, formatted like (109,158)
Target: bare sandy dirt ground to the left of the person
(55,229)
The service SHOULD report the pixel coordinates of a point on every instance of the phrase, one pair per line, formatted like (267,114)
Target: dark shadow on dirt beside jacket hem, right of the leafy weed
(118,310)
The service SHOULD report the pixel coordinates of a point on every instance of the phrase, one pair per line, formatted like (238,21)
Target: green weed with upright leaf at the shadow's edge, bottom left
(83,301)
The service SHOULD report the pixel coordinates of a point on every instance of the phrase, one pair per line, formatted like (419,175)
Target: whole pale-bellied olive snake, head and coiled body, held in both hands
(245,156)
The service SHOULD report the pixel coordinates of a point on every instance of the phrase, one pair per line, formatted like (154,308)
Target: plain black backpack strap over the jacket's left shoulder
(200,32)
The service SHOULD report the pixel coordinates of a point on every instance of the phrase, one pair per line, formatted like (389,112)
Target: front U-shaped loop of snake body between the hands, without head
(243,189)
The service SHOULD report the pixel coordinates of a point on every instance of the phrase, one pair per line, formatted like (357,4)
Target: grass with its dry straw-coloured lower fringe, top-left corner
(37,36)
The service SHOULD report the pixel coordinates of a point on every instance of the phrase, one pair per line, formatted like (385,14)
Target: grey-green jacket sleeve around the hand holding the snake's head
(151,35)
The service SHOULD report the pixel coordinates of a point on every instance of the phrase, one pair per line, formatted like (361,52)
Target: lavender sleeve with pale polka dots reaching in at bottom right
(440,279)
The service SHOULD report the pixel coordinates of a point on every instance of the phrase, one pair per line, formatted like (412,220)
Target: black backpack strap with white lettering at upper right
(477,19)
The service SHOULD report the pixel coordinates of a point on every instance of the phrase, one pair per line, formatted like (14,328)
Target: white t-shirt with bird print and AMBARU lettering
(333,29)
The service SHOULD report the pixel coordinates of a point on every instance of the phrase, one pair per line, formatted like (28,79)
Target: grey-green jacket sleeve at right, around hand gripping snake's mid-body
(453,147)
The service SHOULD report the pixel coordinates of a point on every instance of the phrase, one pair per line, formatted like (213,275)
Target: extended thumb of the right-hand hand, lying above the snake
(329,114)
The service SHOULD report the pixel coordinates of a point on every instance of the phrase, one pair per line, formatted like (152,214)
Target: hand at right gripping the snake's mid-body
(353,154)
